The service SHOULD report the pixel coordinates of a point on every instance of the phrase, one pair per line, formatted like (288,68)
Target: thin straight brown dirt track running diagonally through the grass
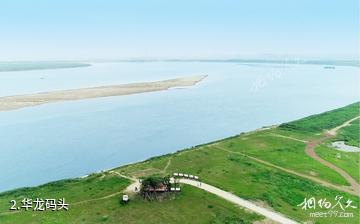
(315,179)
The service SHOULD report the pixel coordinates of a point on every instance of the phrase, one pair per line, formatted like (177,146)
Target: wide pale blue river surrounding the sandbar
(70,139)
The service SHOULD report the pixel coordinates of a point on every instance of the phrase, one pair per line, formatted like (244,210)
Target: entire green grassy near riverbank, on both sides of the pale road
(221,164)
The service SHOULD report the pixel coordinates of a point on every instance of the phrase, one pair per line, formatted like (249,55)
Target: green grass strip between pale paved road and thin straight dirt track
(245,178)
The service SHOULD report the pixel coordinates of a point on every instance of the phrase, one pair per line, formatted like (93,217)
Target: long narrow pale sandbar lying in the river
(29,100)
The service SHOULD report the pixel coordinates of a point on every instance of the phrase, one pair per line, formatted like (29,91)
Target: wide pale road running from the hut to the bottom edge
(239,201)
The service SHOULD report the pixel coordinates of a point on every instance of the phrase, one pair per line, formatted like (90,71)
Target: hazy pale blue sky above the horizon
(115,29)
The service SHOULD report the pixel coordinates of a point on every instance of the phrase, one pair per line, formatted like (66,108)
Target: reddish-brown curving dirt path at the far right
(310,151)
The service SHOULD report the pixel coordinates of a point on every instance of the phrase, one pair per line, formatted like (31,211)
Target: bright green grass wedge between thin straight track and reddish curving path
(284,152)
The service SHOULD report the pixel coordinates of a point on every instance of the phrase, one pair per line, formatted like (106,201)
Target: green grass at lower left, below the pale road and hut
(190,206)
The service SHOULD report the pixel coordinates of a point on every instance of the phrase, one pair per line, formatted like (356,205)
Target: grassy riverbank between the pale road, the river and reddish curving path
(280,146)
